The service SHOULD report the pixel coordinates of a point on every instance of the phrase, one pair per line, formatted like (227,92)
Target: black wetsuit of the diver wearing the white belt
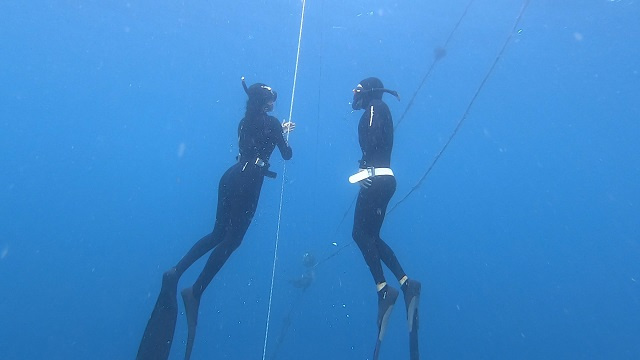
(375,132)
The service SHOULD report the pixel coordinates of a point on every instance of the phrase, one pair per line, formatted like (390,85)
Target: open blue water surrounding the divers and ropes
(118,118)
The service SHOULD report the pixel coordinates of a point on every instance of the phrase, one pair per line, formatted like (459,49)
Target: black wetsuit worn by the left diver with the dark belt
(238,195)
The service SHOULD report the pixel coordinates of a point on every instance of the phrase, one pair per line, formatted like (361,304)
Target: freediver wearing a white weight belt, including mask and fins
(375,133)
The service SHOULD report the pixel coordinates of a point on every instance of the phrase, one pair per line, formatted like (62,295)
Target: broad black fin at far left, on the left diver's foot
(158,335)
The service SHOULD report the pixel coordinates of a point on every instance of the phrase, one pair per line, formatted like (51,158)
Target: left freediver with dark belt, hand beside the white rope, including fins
(238,193)
